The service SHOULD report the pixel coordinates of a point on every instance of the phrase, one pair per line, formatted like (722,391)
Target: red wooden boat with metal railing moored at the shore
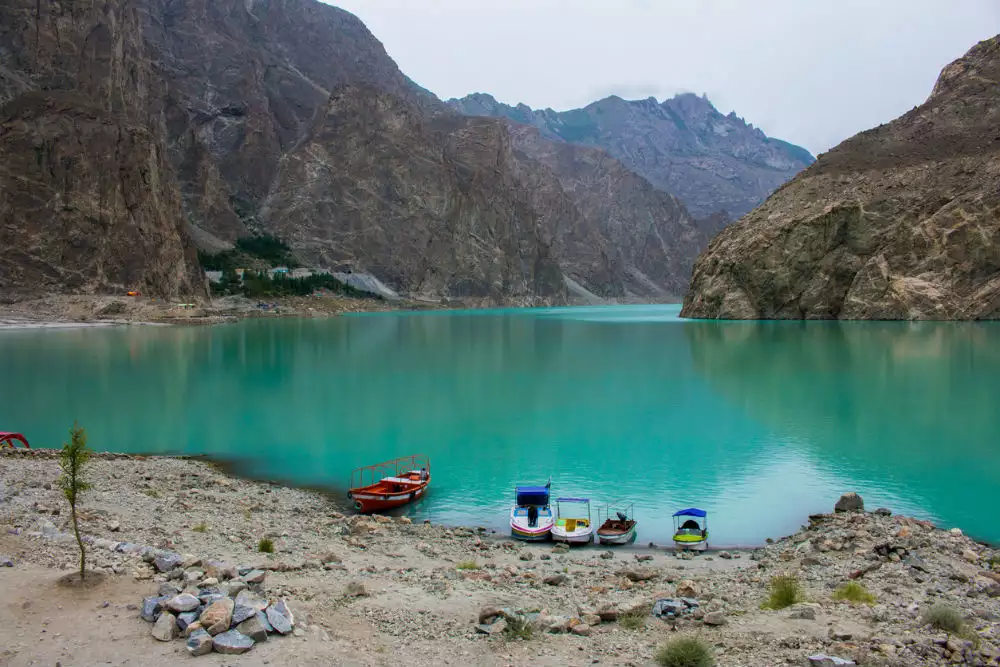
(390,484)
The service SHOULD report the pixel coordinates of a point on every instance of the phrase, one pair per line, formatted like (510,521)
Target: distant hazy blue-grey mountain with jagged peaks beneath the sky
(710,161)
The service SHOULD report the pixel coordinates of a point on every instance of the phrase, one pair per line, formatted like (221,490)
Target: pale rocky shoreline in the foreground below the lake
(374,590)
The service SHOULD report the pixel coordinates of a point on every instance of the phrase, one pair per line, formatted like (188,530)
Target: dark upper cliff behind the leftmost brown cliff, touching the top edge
(243,80)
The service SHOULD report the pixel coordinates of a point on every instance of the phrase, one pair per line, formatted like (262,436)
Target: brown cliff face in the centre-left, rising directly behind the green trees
(430,206)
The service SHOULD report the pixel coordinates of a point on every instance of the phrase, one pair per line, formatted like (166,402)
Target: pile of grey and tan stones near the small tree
(213,606)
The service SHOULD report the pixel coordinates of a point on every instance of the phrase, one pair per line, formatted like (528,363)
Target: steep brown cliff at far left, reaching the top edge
(87,198)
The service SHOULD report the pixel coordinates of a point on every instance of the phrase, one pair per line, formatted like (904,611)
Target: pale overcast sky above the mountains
(808,71)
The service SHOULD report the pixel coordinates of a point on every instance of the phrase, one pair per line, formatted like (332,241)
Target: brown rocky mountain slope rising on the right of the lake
(898,222)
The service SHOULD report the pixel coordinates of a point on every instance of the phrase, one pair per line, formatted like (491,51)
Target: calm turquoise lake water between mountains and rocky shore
(760,423)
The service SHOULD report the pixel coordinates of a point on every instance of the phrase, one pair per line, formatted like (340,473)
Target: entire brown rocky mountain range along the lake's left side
(135,130)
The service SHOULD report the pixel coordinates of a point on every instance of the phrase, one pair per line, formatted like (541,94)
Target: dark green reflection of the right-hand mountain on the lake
(904,408)
